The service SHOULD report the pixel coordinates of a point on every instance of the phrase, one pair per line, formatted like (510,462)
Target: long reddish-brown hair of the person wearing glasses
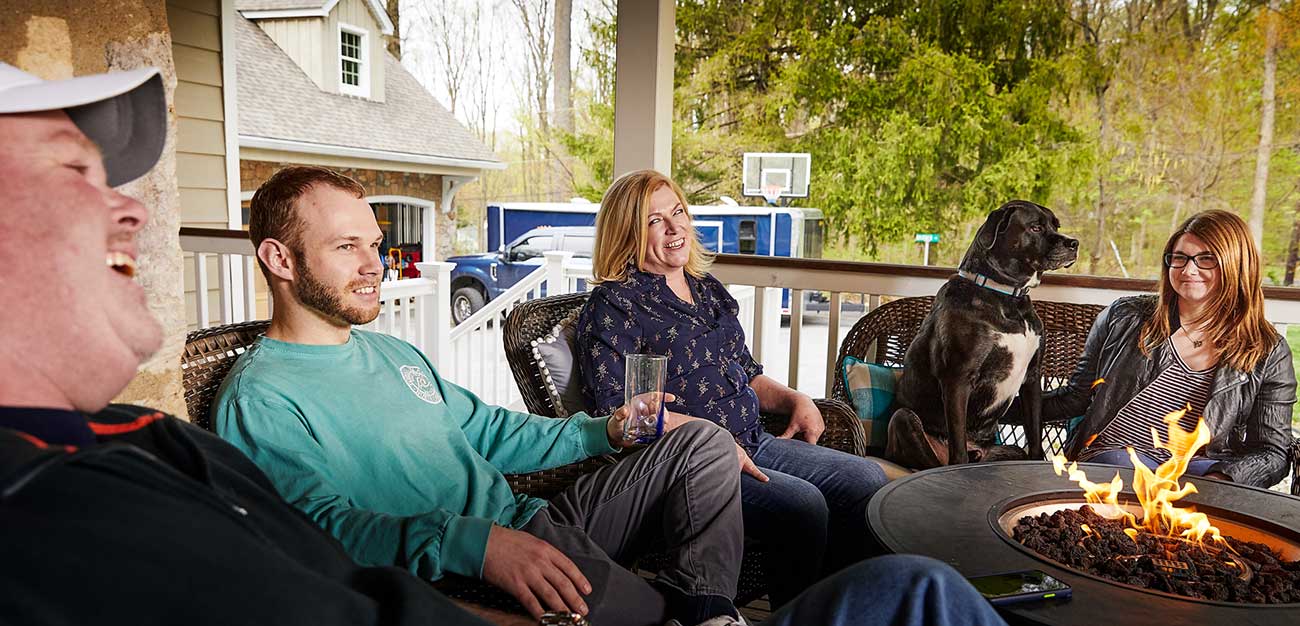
(1236,323)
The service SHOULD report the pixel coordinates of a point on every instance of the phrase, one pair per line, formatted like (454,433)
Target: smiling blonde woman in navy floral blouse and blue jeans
(655,294)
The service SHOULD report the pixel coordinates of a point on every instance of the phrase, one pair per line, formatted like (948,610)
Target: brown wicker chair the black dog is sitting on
(885,336)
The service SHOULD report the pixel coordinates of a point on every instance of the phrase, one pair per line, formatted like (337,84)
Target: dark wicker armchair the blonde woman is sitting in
(538,319)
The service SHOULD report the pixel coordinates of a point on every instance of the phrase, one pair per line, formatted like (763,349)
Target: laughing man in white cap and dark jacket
(115,514)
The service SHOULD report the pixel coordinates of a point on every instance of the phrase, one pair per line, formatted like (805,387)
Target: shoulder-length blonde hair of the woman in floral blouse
(621,228)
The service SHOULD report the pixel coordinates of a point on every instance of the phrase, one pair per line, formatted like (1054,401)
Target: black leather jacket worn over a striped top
(1249,412)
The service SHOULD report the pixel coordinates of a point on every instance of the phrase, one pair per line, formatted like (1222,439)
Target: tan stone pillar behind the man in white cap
(60,40)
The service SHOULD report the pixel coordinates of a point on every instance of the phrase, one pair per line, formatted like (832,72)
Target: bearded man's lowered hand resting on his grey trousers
(534,572)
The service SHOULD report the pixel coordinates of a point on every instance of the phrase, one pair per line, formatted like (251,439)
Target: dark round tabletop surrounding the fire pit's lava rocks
(903,519)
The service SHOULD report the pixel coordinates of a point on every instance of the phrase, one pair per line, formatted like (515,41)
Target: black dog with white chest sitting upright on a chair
(980,346)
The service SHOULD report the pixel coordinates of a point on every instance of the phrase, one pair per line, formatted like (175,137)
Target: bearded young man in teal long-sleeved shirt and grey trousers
(358,431)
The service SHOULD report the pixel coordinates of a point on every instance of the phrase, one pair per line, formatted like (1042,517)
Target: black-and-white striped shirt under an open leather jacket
(1176,389)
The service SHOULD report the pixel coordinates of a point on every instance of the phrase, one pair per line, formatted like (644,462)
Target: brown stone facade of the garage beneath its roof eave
(378,184)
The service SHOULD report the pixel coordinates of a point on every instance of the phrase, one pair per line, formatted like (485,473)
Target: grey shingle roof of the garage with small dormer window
(279,101)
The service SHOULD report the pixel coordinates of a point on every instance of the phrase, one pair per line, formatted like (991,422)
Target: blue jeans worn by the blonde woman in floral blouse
(816,498)
